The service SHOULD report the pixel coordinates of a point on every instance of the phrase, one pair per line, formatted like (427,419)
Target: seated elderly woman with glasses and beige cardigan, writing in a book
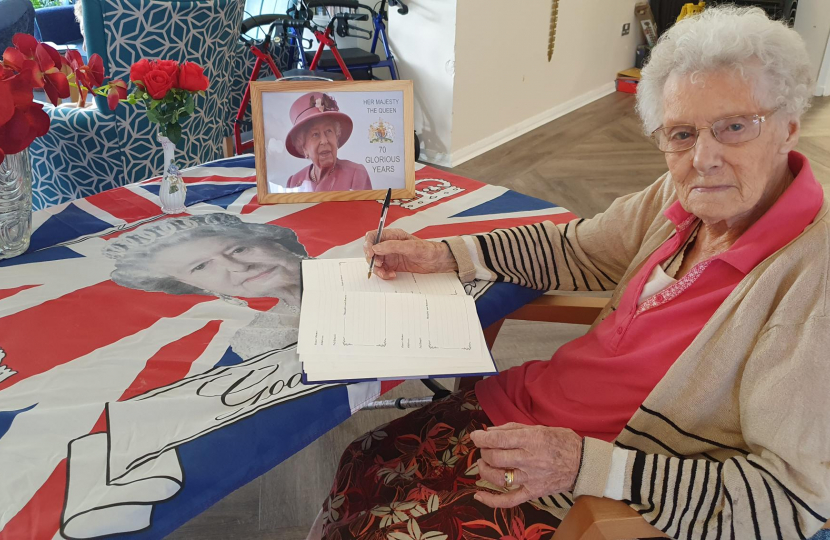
(700,396)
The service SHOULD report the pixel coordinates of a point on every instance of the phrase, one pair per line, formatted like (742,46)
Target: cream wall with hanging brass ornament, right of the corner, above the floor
(504,85)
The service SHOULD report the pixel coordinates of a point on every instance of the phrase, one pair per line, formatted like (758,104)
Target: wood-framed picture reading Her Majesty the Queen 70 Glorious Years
(333,141)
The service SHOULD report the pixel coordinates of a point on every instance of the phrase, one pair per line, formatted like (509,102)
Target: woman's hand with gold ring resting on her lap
(544,460)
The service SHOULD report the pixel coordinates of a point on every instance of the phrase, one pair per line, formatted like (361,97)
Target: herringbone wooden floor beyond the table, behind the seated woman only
(585,160)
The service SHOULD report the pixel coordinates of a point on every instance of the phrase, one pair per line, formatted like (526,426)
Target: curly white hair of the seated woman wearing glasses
(740,39)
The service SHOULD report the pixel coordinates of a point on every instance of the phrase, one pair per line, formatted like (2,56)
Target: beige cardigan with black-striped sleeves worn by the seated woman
(734,441)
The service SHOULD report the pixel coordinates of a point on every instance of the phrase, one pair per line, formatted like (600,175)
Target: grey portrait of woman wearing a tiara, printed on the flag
(218,255)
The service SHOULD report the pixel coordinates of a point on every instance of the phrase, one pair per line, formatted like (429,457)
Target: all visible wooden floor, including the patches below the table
(582,161)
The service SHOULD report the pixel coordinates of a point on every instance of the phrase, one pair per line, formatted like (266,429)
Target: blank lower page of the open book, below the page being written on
(385,324)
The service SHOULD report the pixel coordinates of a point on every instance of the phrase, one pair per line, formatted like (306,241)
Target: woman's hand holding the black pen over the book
(399,251)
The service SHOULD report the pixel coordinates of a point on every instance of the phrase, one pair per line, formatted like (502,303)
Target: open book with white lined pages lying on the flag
(415,326)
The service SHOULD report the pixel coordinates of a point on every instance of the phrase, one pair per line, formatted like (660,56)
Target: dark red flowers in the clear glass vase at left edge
(30,64)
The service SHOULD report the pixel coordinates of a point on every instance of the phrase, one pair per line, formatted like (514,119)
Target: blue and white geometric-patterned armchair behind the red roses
(89,150)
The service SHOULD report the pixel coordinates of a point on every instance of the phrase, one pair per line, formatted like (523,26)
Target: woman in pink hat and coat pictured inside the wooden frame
(319,130)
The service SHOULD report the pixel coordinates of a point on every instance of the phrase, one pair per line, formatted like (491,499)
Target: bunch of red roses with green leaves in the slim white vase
(167,89)
